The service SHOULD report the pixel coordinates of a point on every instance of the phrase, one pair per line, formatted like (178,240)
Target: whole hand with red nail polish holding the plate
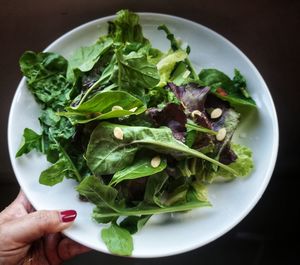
(32,237)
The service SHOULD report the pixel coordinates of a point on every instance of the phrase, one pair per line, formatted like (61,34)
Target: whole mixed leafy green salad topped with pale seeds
(138,128)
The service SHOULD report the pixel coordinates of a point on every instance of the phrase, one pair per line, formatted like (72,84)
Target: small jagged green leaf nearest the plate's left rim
(31,140)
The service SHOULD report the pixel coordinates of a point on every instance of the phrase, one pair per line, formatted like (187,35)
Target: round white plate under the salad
(163,235)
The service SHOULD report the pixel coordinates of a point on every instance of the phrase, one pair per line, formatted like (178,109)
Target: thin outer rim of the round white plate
(274,118)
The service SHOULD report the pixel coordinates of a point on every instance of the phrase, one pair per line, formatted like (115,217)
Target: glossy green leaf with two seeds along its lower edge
(105,105)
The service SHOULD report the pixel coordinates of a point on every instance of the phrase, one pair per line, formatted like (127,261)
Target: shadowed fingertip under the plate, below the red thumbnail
(68,249)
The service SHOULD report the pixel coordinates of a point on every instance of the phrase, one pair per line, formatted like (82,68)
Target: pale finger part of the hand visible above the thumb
(18,208)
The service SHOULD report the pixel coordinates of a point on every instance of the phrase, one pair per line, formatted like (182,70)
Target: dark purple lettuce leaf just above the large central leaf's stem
(172,116)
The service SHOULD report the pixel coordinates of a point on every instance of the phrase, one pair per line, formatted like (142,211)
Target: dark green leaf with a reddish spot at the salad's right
(222,86)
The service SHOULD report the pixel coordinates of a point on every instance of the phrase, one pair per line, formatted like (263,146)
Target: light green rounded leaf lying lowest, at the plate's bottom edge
(117,239)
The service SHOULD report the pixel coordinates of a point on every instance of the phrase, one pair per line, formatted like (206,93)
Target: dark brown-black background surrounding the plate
(266,31)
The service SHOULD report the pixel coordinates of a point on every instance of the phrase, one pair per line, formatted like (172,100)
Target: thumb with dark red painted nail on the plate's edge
(37,224)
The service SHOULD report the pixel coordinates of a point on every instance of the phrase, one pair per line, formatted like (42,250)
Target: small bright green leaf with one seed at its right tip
(141,167)
